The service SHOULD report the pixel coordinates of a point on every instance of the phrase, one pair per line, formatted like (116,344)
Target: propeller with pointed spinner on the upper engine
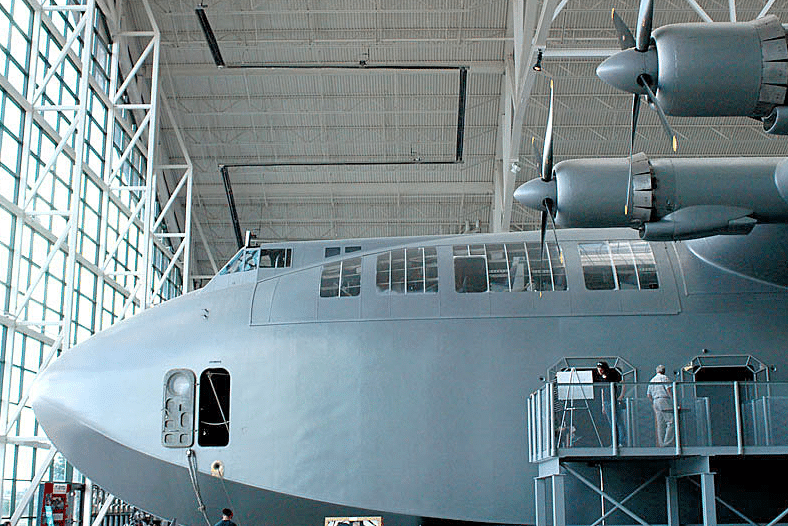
(639,44)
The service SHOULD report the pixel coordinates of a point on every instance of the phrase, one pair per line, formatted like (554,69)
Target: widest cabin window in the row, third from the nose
(509,267)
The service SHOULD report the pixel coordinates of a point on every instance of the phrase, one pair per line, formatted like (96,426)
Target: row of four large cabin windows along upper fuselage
(501,267)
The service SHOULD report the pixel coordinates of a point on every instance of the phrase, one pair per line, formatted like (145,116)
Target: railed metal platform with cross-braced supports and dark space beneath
(607,456)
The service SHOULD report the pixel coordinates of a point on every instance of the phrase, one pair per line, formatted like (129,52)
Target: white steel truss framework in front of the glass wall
(158,227)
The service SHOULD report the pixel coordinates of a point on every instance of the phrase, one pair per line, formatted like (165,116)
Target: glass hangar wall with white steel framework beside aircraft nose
(86,235)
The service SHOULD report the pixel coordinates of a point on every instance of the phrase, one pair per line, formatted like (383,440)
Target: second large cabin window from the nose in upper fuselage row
(408,271)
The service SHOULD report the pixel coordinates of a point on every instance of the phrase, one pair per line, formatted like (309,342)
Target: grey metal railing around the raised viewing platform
(695,418)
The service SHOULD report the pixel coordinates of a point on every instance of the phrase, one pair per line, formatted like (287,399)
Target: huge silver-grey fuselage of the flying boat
(405,405)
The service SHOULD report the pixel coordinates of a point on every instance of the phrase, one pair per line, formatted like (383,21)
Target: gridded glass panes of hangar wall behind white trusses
(29,242)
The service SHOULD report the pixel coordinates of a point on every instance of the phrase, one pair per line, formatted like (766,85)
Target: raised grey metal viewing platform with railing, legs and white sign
(678,432)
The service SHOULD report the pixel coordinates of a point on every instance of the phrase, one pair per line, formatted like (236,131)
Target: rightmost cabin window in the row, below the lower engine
(618,265)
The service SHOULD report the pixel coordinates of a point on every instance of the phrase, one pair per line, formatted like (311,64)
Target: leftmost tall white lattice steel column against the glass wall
(23,290)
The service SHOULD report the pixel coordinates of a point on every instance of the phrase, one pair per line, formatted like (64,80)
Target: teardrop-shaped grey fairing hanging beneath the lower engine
(699,221)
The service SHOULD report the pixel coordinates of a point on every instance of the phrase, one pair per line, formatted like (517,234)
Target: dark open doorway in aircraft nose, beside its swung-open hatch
(214,428)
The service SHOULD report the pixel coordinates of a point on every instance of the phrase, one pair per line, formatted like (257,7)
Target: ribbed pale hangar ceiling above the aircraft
(344,118)
